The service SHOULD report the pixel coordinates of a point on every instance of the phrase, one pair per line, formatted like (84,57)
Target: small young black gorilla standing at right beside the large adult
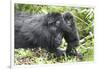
(71,39)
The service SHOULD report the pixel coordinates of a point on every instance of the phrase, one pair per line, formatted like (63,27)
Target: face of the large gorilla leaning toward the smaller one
(54,22)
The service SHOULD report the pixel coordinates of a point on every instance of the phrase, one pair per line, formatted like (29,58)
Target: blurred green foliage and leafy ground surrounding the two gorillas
(84,17)
